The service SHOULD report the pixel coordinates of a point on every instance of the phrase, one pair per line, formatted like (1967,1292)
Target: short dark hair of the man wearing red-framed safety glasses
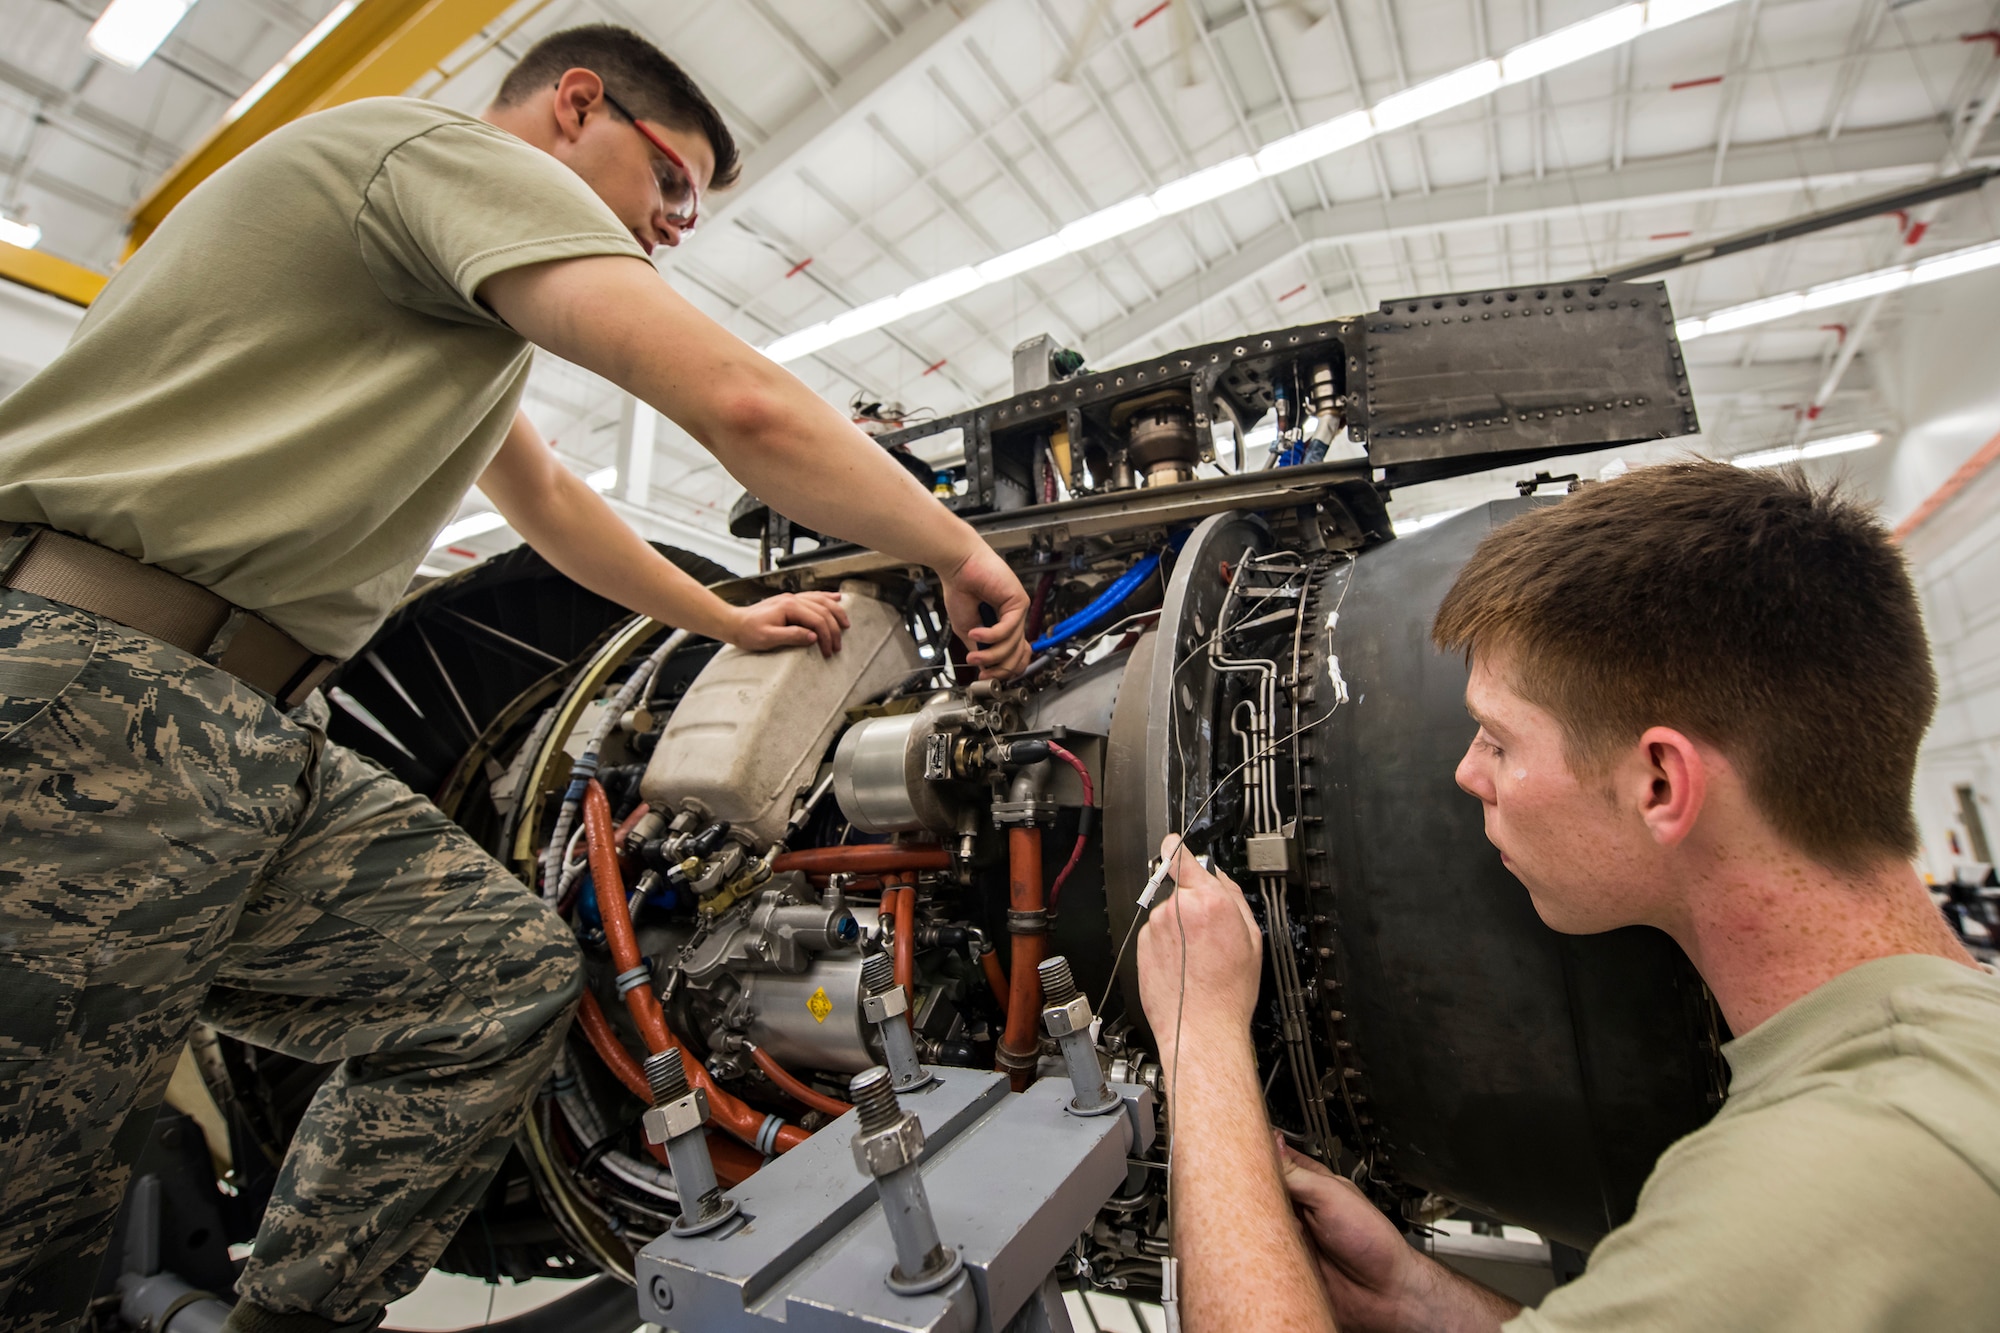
(637,73)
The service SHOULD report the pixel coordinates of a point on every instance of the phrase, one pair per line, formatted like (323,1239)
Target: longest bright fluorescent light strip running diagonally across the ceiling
(1309,145)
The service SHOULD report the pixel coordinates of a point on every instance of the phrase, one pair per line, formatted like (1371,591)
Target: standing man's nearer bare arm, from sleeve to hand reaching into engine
(777,437)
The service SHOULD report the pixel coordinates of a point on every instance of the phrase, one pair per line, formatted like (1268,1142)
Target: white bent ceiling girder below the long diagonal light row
(1779,167)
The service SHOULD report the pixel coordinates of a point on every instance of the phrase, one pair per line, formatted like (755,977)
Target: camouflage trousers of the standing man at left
(173,846)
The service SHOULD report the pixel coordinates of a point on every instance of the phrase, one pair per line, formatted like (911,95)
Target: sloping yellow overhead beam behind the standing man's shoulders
(379,49)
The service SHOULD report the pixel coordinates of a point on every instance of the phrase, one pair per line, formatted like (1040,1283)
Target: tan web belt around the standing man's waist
(153,601)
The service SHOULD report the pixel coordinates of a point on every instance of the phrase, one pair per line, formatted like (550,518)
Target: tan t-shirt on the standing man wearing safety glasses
(291,387)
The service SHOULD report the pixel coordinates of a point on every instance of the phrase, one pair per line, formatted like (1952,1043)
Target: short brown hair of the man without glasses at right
(1753,611)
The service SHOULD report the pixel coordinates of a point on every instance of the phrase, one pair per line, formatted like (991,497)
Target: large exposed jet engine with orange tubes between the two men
(795,868)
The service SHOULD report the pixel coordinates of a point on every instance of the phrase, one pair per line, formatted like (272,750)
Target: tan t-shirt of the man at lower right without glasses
(1849,1184)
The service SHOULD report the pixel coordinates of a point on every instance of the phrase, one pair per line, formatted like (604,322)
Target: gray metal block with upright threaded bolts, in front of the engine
(1013,1182)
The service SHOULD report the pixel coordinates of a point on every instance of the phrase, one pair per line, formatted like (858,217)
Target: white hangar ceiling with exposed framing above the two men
(893,141)
